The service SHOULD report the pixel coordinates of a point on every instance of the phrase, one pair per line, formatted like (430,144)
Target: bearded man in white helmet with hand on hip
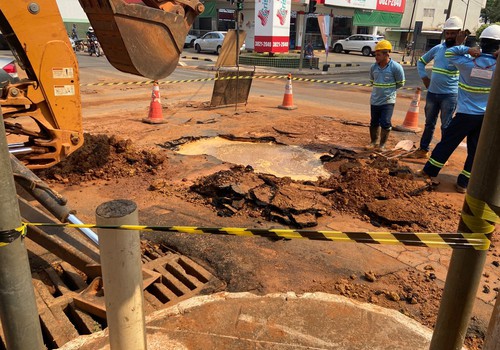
(442,86)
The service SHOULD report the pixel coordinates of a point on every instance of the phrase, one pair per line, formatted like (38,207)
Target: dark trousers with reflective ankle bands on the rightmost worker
(463,125)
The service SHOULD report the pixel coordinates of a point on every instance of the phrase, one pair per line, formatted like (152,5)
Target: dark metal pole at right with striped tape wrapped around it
(480,212)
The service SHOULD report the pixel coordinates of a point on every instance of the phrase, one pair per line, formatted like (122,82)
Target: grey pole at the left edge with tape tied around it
(18,312)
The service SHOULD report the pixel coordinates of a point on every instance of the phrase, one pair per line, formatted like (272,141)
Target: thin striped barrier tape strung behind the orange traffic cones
(168,82)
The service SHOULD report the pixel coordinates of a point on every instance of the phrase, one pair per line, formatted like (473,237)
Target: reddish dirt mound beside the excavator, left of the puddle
(106,158)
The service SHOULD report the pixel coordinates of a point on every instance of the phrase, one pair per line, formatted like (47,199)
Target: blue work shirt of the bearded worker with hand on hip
(444,77)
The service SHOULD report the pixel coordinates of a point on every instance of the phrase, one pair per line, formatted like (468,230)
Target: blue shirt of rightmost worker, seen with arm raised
(476,77)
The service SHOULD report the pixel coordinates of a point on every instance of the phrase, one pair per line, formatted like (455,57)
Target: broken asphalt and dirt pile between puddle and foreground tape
(380,191)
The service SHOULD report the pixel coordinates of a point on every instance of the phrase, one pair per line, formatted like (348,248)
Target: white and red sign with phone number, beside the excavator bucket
(272,25)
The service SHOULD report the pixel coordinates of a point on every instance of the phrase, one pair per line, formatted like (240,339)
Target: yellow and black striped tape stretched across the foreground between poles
(477,241)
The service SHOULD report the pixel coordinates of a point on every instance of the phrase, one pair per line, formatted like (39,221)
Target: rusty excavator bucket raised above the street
(145,37)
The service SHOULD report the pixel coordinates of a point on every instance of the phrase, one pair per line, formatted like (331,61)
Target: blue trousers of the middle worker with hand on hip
(437,104)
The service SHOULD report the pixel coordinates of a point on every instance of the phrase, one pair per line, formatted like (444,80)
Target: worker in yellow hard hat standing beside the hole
(386,76)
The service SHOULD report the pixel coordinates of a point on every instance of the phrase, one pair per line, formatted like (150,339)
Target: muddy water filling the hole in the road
(279,160)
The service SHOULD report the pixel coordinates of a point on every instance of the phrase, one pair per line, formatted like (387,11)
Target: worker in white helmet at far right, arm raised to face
(477,68)
